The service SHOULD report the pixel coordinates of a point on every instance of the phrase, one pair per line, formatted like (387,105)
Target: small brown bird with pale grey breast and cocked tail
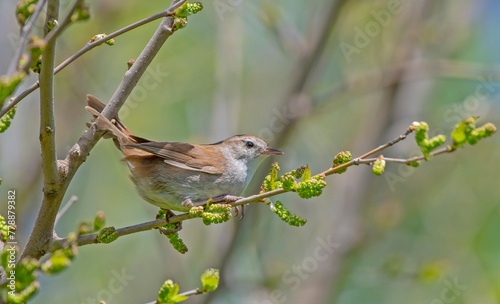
(177,176)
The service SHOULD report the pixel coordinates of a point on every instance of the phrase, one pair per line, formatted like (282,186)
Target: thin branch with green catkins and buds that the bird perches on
(302,182)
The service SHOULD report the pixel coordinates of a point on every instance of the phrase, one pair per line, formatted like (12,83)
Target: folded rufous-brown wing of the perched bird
(183,155)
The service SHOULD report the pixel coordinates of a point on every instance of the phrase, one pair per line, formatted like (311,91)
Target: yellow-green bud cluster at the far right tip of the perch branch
(466,132)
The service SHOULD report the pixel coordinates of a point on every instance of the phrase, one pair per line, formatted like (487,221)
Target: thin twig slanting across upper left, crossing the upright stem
(89,46)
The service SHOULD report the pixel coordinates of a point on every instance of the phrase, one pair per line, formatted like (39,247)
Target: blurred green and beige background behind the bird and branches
(312,78)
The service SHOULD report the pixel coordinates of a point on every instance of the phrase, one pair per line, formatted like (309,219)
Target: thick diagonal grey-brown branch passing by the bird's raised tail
(42,231)
